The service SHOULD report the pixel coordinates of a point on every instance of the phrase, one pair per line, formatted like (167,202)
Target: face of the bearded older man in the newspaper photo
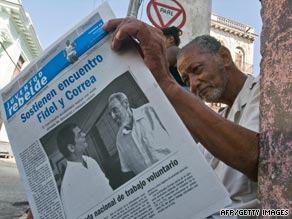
(118,112)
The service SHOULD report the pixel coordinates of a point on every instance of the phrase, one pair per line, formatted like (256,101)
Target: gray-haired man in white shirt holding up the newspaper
(207,68)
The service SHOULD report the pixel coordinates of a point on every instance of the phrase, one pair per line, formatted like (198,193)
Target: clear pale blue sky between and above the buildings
(51,19)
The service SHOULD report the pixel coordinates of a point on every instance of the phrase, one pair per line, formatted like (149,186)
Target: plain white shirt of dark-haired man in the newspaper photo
(82,188)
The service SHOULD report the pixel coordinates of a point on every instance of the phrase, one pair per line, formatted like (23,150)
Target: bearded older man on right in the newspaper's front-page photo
(142,140)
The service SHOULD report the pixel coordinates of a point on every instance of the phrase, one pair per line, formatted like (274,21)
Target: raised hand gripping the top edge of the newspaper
(148,39)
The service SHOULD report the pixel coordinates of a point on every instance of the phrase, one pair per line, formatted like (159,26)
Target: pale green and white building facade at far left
(19,45)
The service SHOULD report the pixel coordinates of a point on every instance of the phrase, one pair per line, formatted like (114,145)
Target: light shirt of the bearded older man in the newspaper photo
(145,144)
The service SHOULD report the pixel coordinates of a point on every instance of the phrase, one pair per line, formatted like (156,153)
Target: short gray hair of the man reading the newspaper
(205,42)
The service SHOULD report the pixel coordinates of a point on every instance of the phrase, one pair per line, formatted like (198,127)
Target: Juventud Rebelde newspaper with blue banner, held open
(125,158)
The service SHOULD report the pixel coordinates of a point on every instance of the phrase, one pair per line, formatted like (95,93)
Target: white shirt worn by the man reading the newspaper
(244,112)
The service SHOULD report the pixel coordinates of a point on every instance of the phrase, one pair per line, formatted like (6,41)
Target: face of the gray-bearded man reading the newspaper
(203,72)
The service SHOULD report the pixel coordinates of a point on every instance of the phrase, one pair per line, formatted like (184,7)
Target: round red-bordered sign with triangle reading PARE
(166,13)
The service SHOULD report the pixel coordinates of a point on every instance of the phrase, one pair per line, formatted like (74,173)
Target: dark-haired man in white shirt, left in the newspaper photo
(84,184)
